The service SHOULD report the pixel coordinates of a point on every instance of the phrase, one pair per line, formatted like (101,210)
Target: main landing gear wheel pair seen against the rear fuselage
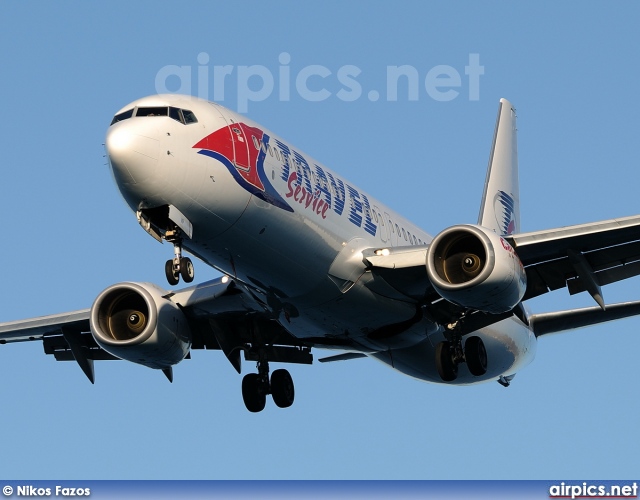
(449,354)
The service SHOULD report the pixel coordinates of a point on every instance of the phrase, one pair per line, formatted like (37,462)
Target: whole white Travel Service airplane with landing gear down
(308,260)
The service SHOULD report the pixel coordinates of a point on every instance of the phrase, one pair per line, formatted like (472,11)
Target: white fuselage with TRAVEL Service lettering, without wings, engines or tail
(265,213)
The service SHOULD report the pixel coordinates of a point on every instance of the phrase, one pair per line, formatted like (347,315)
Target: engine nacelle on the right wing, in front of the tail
(475,268)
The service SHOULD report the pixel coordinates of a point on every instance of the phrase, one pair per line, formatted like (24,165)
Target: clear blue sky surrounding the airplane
(67,67)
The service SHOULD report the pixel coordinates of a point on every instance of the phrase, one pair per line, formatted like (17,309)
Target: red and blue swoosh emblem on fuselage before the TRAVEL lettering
(242,149)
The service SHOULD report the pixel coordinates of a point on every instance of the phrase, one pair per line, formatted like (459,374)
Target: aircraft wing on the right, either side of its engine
(581,257)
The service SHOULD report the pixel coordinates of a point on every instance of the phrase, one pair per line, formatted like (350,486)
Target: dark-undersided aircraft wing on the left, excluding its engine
(222,314)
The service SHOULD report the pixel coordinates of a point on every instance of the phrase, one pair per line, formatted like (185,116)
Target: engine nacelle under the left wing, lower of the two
(133,321)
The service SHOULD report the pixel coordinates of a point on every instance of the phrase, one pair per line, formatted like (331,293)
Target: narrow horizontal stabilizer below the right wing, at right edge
(555,322)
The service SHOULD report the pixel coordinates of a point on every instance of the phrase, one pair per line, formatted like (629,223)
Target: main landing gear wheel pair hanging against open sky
(256,386)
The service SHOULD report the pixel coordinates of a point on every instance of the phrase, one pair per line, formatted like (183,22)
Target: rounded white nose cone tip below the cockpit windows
(133,153)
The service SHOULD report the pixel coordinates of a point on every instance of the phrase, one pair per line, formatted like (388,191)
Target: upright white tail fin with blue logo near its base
(500,209)
